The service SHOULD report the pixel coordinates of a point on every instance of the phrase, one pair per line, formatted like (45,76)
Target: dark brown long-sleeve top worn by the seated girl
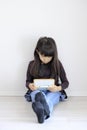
(45,72)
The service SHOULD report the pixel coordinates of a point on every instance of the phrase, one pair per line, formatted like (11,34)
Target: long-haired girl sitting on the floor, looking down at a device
(45,65)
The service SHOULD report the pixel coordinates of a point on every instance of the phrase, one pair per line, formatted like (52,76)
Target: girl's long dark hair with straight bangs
(47,47)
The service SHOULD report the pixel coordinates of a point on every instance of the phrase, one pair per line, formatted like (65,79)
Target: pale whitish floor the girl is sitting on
(16,114)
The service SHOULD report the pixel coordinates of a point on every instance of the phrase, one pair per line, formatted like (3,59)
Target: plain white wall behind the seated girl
(22,22)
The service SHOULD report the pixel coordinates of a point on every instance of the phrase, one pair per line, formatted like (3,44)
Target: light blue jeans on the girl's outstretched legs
(52,98)
